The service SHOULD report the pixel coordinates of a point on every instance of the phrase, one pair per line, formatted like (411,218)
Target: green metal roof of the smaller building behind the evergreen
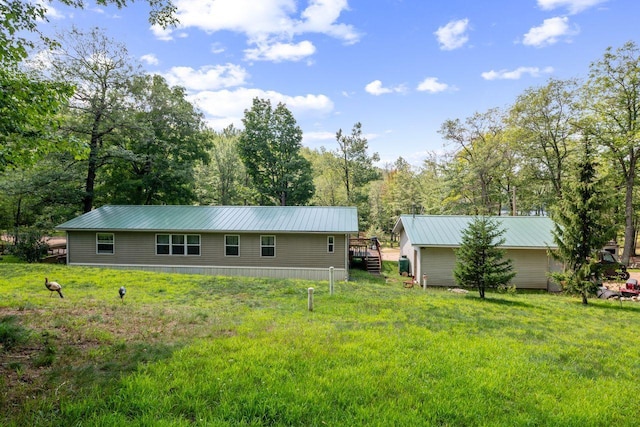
(446,230)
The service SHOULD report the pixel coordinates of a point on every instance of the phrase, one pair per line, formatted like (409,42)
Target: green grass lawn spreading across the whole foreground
(197,350)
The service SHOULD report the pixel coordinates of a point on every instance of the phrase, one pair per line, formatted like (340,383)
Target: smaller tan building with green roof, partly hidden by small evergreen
(429,243)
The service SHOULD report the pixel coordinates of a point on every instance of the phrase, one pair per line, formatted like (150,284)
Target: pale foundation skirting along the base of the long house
(275,272)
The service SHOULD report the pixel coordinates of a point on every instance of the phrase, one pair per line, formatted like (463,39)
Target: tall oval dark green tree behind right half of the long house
(270,150)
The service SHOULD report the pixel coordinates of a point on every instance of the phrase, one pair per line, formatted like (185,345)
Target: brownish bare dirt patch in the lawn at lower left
(103,342)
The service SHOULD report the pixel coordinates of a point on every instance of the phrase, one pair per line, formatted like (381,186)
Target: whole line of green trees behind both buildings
(83,126)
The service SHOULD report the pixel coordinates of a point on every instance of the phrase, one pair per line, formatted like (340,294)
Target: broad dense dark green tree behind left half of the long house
(154,156)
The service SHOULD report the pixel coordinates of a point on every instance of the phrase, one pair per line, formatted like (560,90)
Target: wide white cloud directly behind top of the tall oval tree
(225,107)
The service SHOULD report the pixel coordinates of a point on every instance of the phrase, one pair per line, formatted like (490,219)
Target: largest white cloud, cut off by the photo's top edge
(269,25)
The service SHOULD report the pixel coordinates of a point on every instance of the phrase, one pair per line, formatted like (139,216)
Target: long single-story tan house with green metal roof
(261,241)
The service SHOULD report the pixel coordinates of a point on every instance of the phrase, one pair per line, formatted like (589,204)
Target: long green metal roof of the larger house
(313,219)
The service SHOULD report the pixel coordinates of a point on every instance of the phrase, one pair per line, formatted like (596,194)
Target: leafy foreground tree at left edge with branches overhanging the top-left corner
(27,102)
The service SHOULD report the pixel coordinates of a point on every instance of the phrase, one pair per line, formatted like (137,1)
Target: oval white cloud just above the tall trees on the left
(212,77)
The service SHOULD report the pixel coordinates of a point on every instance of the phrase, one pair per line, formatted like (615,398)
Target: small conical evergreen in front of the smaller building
(480,263)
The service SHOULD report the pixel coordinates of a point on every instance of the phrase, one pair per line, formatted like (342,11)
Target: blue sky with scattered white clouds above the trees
(400,67)
